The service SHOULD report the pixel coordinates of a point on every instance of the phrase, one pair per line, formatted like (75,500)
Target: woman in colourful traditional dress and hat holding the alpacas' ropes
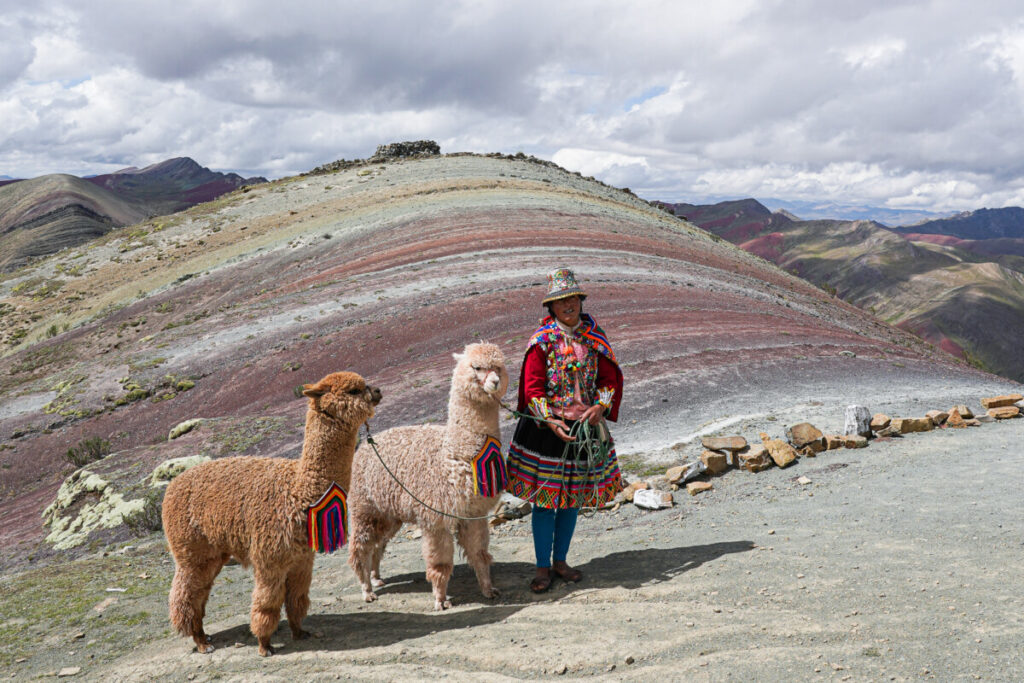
(570,375)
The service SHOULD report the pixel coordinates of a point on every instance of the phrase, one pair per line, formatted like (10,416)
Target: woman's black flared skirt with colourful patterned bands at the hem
(539,474)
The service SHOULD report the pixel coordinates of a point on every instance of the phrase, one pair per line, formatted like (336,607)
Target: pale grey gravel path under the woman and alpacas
(895,563)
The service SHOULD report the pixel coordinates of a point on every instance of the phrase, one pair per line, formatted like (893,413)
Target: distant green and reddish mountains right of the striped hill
(957,282)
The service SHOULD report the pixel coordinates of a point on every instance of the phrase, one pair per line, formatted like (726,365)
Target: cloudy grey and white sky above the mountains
(907,105)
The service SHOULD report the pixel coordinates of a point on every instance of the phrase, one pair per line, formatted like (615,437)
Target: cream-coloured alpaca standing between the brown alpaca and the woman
(436,463)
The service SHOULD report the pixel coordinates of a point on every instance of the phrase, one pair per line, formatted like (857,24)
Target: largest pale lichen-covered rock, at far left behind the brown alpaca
(68,531)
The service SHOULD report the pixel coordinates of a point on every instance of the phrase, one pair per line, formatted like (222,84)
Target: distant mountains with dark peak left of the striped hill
(44,216)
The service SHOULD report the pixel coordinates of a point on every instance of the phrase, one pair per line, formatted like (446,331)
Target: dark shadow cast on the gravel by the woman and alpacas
(628,570)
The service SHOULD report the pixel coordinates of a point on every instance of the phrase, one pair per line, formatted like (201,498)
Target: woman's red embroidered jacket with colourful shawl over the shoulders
(566,373)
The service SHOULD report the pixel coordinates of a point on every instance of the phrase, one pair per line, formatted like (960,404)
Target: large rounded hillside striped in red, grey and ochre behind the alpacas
(387,268)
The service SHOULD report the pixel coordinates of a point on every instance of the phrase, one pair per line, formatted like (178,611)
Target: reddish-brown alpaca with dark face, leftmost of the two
(254,509)
